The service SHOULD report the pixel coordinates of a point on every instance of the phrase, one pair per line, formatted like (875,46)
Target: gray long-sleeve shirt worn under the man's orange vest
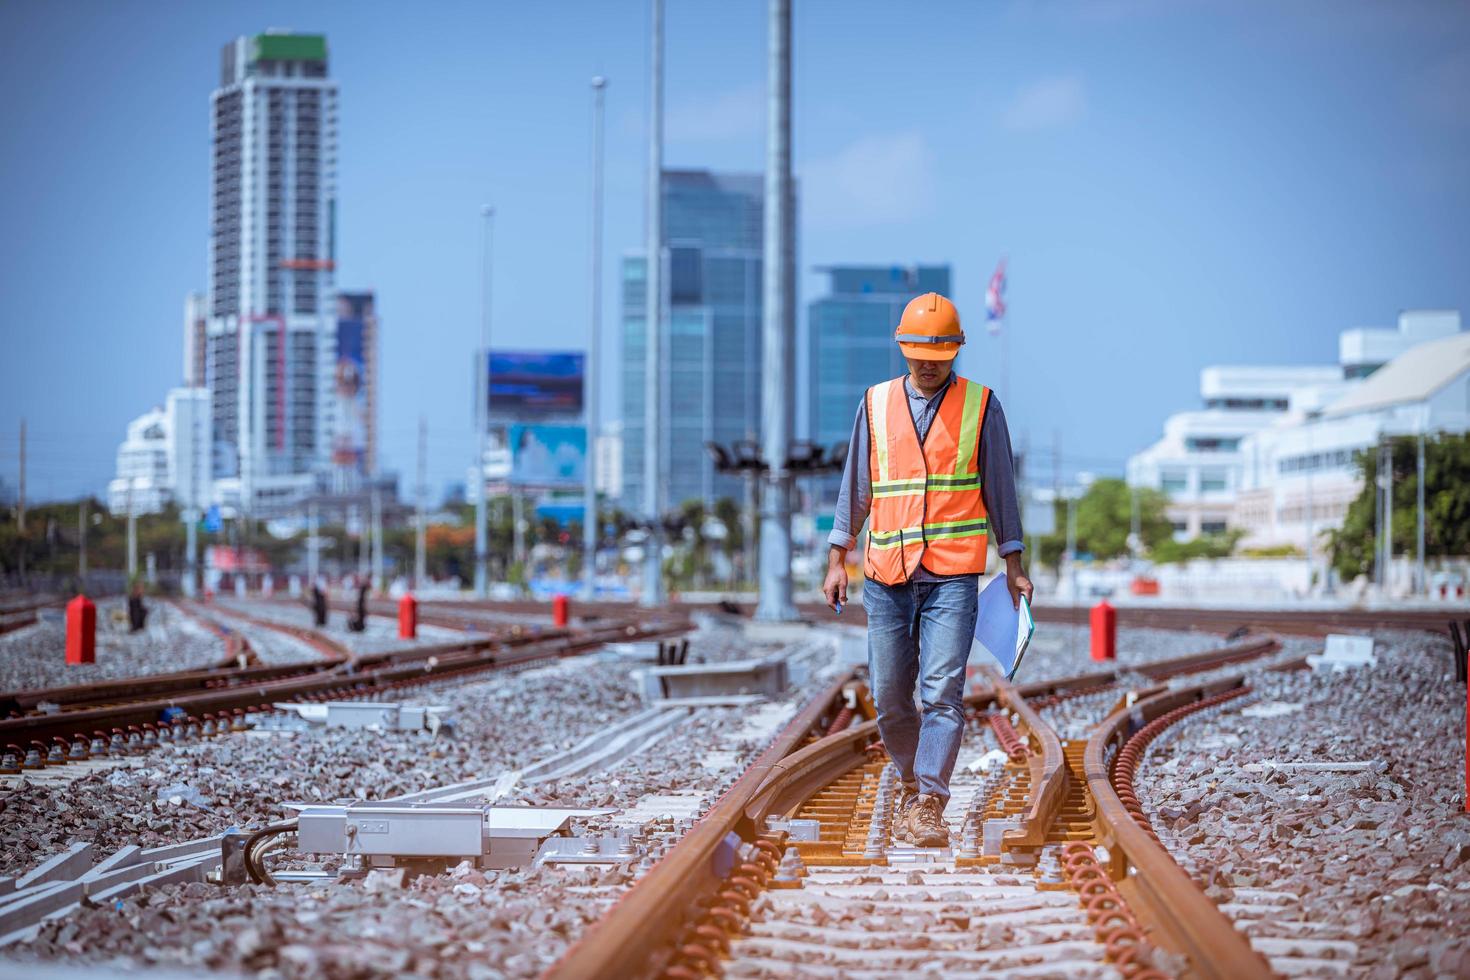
(855,496)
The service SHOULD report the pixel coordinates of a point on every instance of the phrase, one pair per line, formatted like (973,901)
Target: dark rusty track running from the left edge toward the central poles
(58,725)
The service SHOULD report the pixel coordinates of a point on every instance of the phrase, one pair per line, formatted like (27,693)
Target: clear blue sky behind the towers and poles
(1177,184)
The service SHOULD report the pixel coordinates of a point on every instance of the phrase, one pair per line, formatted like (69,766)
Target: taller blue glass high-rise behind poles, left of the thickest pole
(712,230)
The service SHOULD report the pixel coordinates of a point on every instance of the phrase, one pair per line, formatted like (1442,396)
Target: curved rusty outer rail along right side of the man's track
(1181,915)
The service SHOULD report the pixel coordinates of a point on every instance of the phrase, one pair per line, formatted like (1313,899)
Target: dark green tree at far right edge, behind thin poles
(1447,505)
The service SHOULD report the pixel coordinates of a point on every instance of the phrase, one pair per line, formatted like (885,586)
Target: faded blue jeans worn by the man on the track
(921,634)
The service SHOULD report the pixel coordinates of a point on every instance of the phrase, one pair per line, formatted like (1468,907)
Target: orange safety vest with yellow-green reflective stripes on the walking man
(927,499)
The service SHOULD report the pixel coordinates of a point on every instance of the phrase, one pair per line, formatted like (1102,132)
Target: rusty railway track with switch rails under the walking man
(1052,871)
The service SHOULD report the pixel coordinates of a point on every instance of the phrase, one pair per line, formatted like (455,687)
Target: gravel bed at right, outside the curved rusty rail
(1327,813)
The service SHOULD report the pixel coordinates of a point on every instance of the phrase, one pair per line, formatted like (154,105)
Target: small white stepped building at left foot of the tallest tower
(165,458)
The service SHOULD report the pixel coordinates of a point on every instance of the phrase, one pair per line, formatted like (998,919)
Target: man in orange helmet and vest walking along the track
(930,468)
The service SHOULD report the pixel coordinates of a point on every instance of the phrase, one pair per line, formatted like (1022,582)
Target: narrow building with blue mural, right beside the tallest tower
(355,390)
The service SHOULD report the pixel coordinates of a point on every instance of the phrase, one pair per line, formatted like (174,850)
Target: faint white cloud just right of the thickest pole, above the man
(872,181)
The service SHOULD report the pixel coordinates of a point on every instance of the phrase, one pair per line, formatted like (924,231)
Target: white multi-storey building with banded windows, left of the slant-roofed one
(1250,459)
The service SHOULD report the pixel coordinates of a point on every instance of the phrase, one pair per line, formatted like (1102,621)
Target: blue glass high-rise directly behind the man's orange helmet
(850,336)
